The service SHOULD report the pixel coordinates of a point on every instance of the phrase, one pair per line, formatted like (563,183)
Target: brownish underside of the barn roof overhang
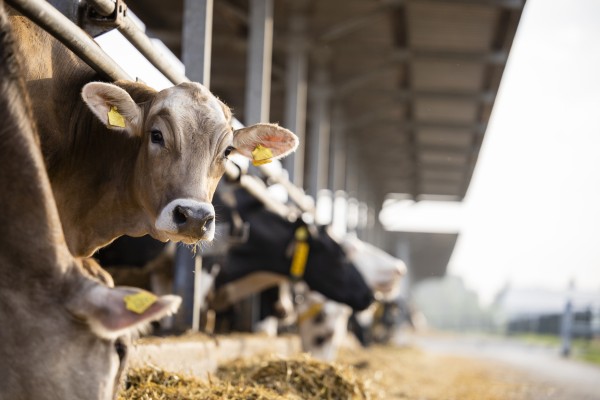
(413,81)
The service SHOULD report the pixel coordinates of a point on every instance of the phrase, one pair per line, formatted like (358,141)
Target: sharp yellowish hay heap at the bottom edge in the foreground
(291,379)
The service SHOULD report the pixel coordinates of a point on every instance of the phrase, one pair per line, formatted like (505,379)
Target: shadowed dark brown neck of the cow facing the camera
(93,183)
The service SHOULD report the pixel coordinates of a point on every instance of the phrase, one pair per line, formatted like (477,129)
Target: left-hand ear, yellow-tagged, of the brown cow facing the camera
(113,106)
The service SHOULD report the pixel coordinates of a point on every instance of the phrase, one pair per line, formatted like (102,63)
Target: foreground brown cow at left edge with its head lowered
(63,336)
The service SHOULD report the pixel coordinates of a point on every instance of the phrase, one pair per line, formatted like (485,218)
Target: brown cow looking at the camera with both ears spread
(151,166)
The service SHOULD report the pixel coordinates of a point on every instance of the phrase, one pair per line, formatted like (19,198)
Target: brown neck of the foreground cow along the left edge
(32,249)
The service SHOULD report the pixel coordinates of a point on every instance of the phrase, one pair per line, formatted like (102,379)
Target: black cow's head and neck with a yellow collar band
(272,245)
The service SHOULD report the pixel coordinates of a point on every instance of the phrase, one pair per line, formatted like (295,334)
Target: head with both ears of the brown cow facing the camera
(185,137)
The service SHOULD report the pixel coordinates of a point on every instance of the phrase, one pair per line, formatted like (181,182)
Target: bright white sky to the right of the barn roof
(531,216)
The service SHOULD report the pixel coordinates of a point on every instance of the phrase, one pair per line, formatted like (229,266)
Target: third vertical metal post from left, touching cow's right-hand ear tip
(296,93)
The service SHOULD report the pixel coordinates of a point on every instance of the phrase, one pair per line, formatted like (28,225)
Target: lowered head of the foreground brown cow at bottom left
(68,335)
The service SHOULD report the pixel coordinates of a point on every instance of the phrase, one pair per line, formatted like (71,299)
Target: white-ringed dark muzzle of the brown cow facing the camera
(187,220)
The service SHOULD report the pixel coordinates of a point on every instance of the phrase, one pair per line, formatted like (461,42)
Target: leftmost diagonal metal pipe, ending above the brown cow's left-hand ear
(59,26)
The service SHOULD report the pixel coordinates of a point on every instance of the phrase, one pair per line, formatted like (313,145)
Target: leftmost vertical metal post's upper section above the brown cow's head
(197,39)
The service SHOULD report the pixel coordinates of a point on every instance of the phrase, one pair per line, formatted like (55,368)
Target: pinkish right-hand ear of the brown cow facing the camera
(279,141)
